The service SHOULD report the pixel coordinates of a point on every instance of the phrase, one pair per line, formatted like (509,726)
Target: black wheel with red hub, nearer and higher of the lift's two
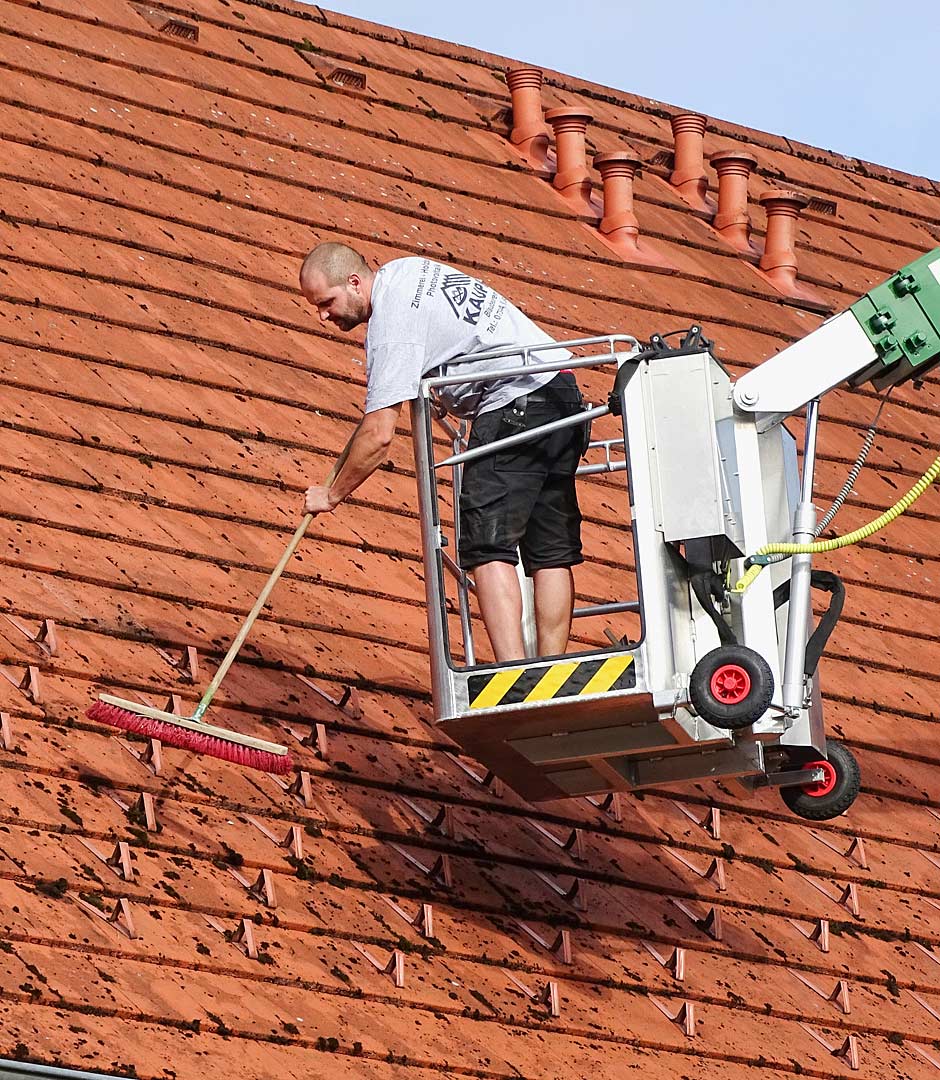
(732,686)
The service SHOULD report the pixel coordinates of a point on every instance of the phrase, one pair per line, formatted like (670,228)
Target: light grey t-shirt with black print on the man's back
(424,315)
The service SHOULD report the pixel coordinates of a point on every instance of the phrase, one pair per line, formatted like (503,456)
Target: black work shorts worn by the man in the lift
(525,497)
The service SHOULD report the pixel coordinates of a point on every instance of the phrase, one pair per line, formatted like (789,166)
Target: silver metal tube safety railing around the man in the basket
(458,436)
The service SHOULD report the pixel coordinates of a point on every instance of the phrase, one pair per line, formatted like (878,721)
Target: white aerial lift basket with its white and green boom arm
(718,682)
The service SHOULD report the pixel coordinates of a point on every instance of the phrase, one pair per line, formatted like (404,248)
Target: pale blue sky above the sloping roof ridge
(857,78)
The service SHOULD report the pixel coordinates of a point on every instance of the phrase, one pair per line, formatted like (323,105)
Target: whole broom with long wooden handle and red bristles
(192,733)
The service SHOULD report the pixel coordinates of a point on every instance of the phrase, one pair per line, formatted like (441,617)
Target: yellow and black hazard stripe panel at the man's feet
(570,679)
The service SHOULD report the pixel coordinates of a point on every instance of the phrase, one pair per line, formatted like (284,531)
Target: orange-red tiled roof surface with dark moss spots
(167,398)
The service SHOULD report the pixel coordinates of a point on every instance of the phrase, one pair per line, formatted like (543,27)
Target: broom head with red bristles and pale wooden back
(186,734)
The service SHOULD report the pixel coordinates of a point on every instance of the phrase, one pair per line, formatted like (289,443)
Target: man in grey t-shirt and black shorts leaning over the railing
(421,316)
